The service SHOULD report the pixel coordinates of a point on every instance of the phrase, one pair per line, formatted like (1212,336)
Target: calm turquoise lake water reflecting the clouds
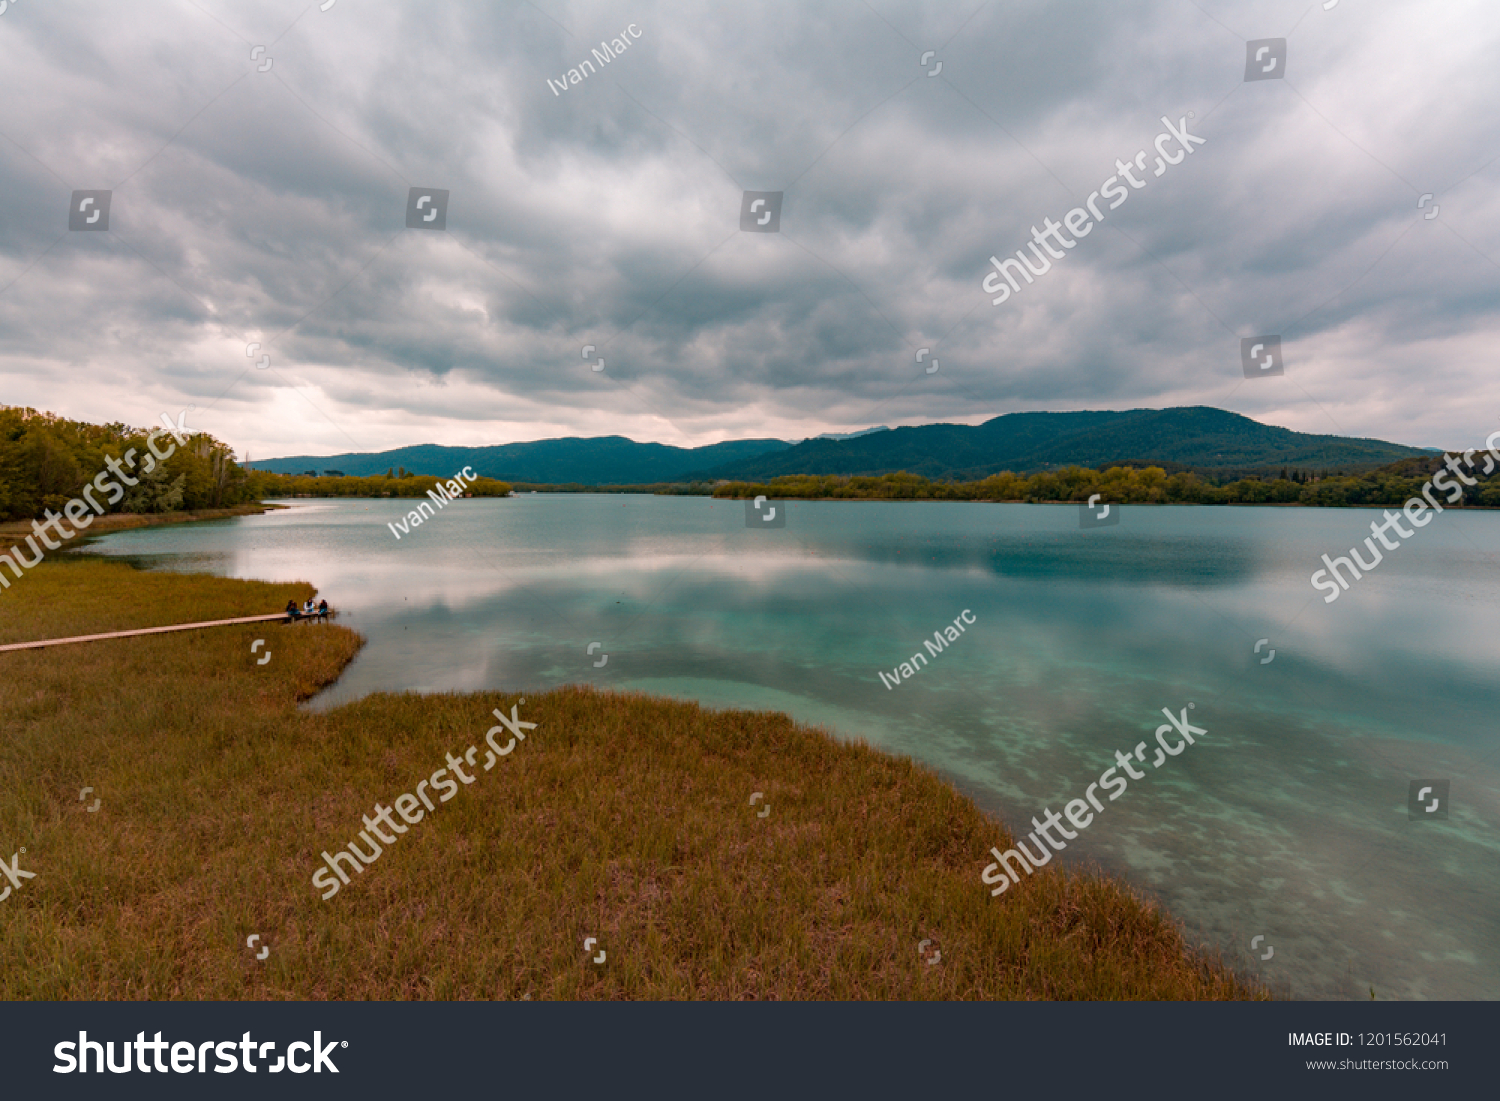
(1288,820)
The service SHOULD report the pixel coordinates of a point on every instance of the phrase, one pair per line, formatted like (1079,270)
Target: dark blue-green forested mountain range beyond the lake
(1199,439)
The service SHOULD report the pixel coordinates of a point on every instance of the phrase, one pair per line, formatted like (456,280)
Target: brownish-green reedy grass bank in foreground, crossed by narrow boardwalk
(620,817)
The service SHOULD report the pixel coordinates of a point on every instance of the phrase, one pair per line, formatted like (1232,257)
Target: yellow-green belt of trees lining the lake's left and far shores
(47,461)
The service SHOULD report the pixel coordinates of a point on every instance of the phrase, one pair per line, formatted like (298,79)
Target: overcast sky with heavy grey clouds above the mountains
(268,205)
